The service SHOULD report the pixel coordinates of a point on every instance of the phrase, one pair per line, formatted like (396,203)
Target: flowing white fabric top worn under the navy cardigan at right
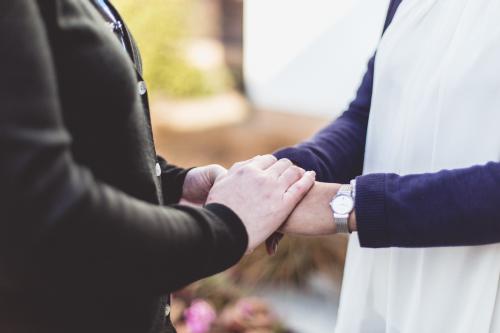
(436,105)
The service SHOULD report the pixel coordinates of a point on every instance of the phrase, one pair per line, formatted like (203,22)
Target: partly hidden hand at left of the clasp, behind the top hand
(199,181)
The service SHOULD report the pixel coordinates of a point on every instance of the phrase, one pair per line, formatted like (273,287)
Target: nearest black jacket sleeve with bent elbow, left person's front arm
(56,220)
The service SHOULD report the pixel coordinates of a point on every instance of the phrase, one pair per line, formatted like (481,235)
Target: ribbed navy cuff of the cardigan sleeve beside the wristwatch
(371,217)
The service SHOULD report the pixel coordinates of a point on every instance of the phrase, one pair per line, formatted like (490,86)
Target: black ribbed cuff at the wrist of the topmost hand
(232,249)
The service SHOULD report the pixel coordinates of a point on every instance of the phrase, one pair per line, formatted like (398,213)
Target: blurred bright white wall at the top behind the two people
(308,56)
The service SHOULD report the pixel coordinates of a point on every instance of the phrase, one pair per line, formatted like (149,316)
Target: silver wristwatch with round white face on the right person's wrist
(342,206)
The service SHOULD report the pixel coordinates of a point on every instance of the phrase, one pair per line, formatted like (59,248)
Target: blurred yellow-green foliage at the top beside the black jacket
(161,27)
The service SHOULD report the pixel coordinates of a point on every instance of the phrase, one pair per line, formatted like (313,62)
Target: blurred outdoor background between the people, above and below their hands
(230,79)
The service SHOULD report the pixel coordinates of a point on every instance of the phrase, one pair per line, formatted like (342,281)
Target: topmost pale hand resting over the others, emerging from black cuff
(262,192)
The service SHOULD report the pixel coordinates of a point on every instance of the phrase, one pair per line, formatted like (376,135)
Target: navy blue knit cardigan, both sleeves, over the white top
(447,208)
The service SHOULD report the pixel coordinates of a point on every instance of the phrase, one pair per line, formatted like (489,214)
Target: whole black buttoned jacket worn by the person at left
(90,237)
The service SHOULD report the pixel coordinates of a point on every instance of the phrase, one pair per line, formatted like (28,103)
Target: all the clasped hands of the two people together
(268,195)
